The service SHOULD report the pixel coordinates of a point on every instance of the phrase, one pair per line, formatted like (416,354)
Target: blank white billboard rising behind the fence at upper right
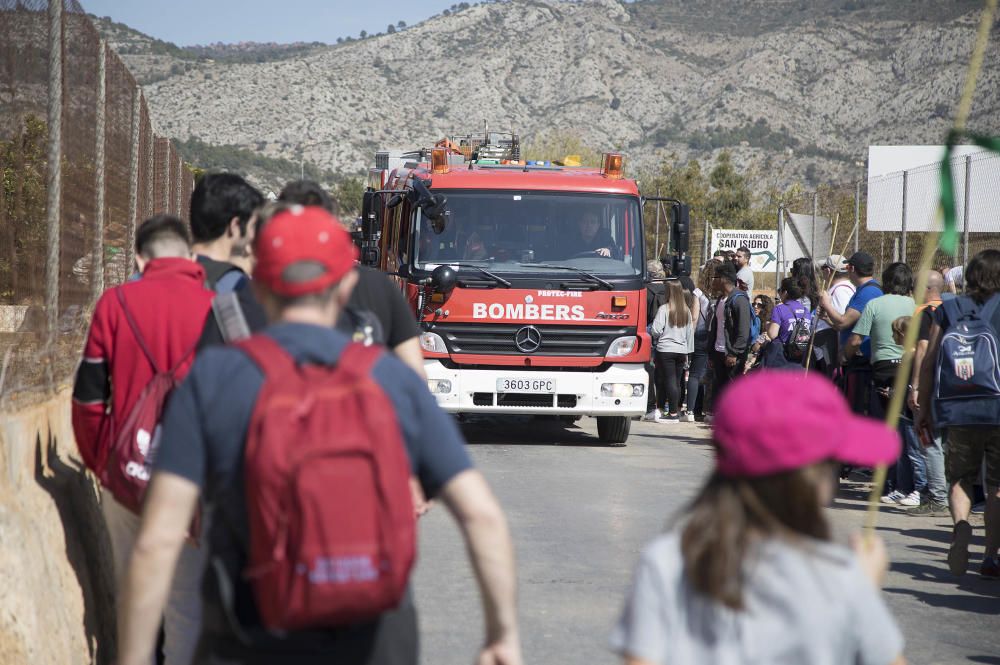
(970,165)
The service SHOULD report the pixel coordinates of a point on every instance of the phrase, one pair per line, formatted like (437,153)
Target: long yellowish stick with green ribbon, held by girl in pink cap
(926,263)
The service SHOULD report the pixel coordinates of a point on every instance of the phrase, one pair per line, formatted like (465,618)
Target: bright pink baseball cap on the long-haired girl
(774,421)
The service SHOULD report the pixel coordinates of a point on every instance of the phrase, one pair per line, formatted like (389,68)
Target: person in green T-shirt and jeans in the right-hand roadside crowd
(907,481)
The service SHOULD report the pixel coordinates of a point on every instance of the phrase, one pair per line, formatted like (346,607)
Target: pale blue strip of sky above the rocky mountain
(189,22)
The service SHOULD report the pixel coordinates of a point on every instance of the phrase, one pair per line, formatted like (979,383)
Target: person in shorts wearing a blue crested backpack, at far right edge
(970,447)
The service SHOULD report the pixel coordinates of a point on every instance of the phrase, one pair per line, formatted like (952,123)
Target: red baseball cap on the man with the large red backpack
(302,234)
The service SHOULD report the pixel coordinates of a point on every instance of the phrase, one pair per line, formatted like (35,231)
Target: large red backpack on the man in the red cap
(332,527)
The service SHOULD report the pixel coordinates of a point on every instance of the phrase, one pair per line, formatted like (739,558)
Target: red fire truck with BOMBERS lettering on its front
(527,278)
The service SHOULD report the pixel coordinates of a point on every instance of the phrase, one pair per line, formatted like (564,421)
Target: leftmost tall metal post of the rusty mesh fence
(53,182)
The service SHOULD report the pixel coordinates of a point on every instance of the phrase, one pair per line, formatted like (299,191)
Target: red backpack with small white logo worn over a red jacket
(125,471)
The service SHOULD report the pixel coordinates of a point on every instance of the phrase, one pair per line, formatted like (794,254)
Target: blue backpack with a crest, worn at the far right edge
(967,380)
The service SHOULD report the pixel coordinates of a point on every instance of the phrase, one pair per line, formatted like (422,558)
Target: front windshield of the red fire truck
(505,230)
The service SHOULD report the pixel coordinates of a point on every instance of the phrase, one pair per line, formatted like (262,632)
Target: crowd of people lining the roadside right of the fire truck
(849,327)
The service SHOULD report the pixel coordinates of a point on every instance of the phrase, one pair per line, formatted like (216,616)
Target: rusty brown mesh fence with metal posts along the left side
(81,167)
